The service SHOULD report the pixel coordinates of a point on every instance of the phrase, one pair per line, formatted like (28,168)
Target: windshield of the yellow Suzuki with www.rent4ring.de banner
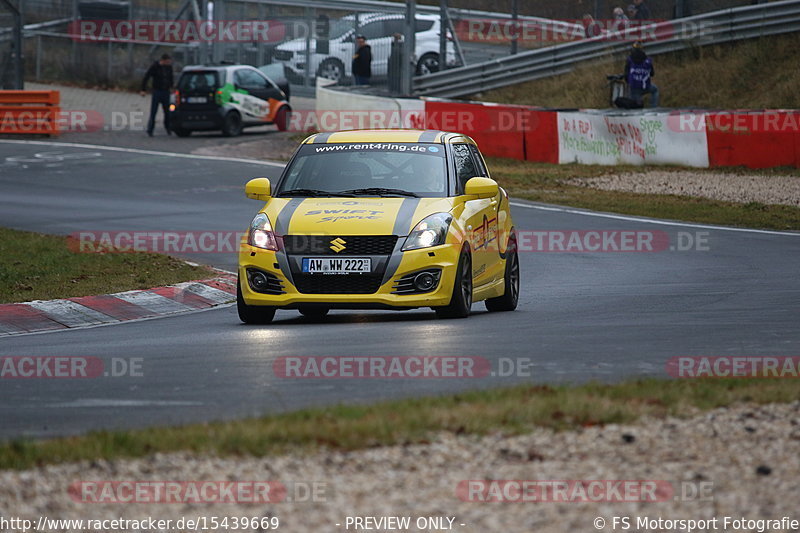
(369,169)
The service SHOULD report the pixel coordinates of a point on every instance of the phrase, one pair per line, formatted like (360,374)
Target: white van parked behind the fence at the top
(378,28)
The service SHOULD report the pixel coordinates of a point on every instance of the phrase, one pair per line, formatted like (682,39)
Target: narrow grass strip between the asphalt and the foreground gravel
(513,410)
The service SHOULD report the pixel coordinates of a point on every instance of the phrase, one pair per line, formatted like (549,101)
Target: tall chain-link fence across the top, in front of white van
(304,39)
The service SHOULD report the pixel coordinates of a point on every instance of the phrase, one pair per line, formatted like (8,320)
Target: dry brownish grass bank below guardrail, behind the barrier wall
(758,73)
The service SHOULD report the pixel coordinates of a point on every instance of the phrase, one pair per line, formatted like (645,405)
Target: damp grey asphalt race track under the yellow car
(582,316)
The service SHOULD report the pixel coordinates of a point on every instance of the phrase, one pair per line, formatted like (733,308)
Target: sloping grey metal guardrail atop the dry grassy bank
(711,28)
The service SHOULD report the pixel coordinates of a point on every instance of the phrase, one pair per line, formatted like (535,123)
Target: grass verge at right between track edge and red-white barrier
(544,182)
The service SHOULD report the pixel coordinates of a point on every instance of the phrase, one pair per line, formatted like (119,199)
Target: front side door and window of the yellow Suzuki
(480,216)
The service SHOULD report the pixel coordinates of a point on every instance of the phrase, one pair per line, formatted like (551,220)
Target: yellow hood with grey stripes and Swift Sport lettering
(351,216)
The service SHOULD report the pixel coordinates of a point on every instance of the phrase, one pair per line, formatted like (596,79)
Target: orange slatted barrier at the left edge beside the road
(30,112)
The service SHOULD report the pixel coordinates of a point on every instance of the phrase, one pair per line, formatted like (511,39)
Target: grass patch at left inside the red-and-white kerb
(42,267)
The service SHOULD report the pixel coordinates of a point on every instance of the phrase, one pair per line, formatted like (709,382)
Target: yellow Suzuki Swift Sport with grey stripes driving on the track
(386,219)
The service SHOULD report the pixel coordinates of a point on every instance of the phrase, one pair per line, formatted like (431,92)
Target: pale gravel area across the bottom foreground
(743,461)
